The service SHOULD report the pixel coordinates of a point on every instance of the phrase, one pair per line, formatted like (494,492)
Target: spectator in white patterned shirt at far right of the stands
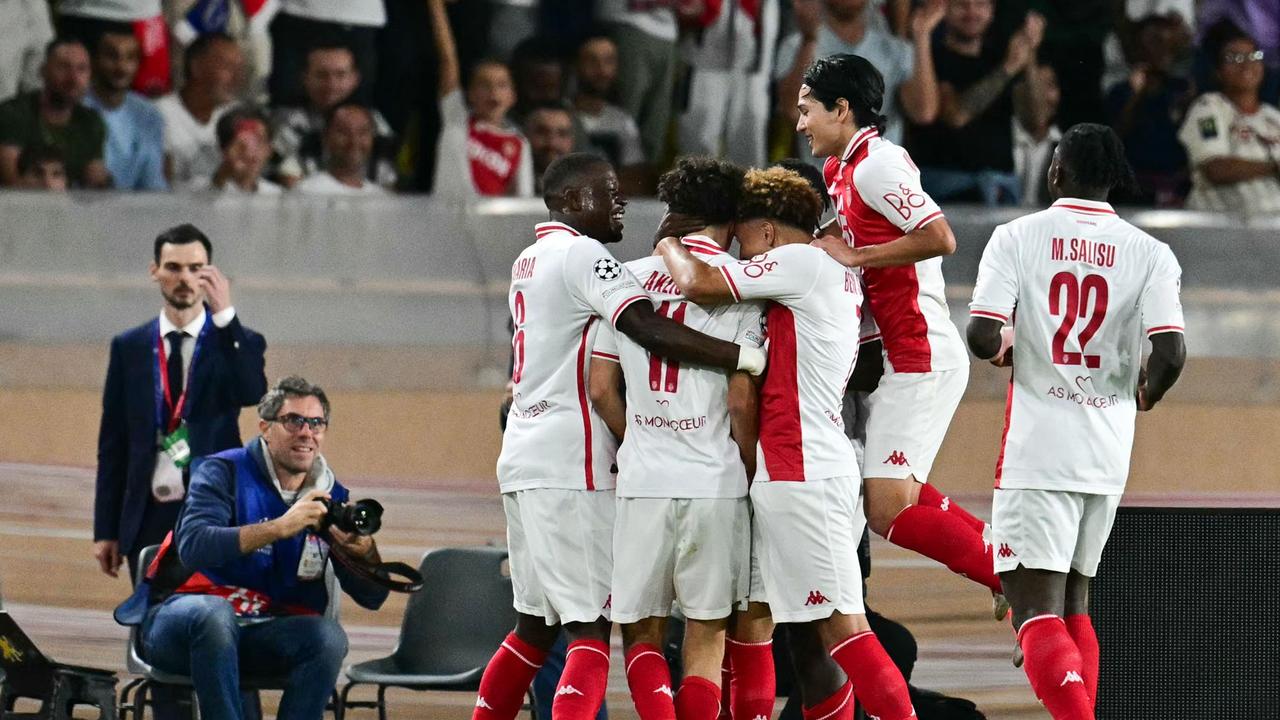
(1232,138)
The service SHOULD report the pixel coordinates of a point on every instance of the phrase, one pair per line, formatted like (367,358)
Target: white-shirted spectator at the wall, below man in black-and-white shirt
(349,143)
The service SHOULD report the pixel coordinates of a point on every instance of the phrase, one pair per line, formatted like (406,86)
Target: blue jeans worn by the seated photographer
(198,636)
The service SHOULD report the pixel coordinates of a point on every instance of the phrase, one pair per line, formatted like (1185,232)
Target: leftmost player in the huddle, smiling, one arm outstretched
(555,470)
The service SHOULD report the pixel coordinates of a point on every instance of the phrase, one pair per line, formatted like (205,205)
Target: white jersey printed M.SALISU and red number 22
(1085,286)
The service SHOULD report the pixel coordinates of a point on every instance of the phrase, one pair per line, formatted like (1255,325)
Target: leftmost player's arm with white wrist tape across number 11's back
(674,341)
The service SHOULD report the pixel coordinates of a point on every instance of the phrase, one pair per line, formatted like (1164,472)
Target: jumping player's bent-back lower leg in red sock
(894,512)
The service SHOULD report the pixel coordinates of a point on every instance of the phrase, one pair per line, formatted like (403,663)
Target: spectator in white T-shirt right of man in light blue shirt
(216,74)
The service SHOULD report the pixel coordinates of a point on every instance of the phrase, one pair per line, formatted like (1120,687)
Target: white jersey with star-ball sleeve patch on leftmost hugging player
(561,288)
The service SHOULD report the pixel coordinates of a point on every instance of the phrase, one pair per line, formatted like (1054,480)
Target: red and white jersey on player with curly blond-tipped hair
(812,354)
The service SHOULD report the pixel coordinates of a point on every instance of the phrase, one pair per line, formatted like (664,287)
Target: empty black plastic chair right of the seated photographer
(450,631)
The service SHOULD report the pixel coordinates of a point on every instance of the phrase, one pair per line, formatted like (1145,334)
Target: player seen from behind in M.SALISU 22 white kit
(1086,286)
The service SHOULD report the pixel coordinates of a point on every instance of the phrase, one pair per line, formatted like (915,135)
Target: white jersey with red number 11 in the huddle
(678,443)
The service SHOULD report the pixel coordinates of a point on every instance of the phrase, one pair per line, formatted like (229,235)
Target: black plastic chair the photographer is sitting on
(138,695)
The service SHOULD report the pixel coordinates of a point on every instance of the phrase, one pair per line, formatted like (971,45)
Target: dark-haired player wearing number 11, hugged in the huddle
(684,528)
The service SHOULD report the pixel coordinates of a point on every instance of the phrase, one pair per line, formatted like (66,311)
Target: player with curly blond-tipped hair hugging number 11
(807,493)
